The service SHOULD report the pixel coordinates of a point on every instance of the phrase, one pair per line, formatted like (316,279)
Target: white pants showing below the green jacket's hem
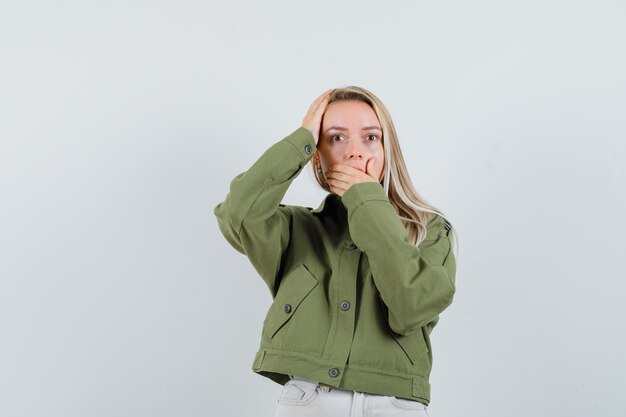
(304,398)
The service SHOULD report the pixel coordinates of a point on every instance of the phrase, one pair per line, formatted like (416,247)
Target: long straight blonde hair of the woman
(414,210)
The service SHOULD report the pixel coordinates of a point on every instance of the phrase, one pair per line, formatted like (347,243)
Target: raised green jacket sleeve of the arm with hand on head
(251,217)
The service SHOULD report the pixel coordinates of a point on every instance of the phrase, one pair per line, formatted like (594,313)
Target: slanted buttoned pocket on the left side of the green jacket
(294,288)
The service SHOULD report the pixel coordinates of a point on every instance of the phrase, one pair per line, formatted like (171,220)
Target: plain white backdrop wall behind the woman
(122,124)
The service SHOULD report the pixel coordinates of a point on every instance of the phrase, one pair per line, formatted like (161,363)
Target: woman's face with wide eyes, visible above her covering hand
(351,135)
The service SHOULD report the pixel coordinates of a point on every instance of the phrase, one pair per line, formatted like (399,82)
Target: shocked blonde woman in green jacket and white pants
(358,283)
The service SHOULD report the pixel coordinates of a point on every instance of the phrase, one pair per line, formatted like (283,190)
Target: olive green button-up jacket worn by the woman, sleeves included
(354,302)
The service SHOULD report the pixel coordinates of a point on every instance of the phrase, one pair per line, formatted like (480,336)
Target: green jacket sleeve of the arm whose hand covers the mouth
(415,283)
